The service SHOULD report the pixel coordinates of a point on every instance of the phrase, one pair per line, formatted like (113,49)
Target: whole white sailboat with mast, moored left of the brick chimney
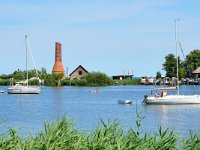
(23,86)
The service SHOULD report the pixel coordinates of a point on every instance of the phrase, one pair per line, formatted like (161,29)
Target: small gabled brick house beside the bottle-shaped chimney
(78,73)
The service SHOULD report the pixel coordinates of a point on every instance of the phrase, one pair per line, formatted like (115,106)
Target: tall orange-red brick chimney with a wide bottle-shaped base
(58,66)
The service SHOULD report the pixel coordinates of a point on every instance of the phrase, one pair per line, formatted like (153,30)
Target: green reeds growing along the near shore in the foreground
(109,136)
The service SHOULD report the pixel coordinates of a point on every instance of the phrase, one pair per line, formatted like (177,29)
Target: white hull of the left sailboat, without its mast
(24,90)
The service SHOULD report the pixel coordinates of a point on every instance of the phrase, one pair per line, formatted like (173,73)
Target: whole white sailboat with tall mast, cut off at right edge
(176,99)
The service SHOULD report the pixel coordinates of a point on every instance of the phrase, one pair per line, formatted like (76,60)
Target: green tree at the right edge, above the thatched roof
(193,60)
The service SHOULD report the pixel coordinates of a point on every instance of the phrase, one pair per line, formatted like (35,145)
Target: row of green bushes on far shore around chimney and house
(90,79)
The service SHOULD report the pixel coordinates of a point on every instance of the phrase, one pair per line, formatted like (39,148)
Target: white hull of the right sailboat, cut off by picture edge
(173,100)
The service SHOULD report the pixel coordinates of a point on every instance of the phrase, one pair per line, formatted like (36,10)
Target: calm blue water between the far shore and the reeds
(28,113)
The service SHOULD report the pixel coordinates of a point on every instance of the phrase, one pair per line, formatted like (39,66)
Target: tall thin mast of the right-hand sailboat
(176,39)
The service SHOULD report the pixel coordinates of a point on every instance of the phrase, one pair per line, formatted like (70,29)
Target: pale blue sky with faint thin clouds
(111,36)
